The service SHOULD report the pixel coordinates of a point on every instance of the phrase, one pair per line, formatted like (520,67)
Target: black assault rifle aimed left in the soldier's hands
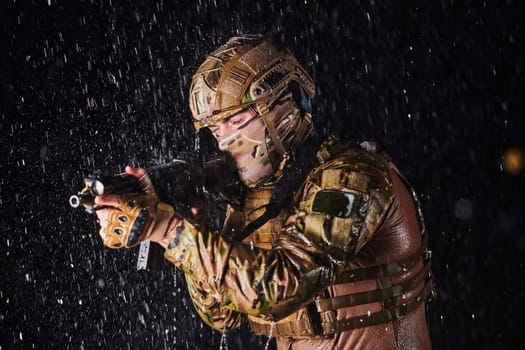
(179,183)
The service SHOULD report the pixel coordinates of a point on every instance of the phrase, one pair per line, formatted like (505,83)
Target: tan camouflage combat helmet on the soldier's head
(246,71)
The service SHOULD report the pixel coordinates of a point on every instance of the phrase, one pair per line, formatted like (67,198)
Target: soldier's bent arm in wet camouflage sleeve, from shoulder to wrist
(307,257)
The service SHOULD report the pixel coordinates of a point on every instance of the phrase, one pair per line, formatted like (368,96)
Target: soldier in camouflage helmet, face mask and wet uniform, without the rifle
(323,246)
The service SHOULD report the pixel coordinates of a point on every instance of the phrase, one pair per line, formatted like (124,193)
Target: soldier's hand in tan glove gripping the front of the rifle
(128,219)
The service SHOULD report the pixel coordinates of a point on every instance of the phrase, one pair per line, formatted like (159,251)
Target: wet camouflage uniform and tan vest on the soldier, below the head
(342,267)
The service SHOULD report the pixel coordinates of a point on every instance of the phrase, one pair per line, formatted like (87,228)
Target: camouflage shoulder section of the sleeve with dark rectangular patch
(346,199)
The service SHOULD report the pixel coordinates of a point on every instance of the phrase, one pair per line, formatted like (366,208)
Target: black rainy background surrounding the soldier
(100,84)
